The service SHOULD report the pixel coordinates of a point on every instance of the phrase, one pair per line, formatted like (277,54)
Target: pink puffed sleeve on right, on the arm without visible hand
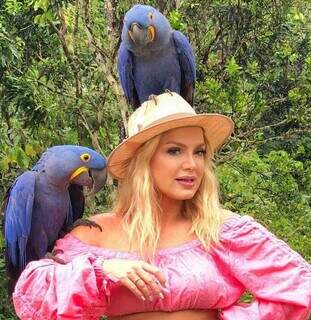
(278,277)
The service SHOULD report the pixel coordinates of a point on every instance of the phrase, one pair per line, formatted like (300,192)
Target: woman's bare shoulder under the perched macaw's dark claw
(108,223)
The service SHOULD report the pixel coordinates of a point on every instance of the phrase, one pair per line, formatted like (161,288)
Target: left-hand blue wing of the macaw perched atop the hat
(125,70)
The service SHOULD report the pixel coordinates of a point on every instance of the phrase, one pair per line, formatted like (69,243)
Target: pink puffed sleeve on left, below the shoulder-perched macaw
(75,290)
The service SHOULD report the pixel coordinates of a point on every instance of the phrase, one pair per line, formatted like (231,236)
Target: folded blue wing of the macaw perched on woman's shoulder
(17,219)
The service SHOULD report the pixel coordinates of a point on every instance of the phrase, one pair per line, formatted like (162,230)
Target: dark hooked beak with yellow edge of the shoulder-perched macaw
(91,178)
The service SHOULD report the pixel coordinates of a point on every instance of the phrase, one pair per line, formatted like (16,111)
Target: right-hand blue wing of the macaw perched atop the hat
(187,65)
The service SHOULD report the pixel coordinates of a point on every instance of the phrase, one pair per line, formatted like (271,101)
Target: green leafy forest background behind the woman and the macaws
(58,85)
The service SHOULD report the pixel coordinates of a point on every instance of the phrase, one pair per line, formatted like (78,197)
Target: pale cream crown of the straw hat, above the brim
(158,108)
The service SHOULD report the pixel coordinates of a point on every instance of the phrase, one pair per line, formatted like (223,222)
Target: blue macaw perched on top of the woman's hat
(153,57)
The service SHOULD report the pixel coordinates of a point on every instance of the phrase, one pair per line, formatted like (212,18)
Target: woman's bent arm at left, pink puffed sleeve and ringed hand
(81,287)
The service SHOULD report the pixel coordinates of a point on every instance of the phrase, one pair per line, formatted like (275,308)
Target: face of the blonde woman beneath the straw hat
(178,163)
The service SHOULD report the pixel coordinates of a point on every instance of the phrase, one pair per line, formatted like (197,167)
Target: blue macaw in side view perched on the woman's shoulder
(44,202)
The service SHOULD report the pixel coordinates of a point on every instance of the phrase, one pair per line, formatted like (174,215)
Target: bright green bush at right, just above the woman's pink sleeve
(275,188)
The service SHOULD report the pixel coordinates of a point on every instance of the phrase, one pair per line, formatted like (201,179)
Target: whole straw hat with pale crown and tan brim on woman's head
(162,113)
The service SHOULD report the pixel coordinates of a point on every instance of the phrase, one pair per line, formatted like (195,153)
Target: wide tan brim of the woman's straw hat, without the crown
(217,129)
